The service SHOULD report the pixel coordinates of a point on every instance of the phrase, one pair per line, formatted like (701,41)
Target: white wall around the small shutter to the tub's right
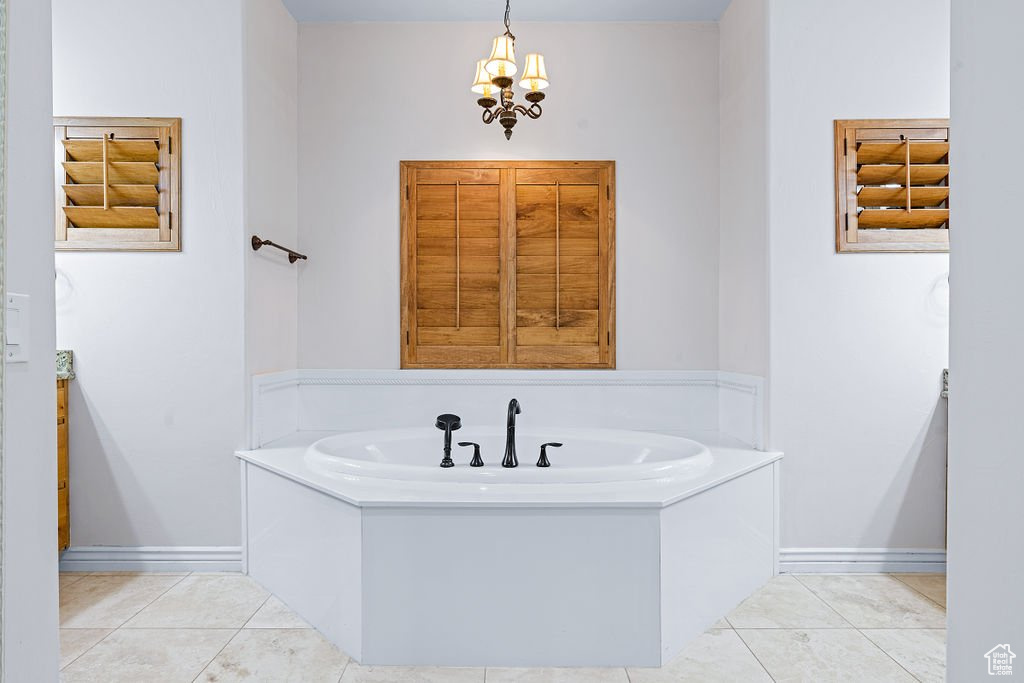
(859,343)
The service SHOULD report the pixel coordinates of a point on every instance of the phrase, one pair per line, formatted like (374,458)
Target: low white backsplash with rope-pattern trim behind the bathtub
(711,403)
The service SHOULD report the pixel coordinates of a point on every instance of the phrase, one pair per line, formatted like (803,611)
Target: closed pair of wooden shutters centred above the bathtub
(508,265)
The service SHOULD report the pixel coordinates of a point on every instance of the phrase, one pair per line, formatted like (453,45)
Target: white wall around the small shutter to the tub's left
(158,407)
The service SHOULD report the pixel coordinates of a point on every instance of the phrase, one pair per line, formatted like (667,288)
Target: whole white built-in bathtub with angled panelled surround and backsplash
(595,562)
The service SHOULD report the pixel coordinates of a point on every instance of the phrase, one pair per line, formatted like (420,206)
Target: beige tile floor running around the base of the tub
(143,628)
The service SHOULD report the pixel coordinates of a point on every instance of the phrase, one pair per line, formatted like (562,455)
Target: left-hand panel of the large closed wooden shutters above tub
(454,280)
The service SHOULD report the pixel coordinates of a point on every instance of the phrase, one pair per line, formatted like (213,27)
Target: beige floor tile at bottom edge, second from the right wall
(827,656)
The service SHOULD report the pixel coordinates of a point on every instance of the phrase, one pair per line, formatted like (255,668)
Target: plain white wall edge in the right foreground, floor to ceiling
(987,510)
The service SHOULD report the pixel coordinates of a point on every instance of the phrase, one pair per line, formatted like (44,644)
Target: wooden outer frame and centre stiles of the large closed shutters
(507,303)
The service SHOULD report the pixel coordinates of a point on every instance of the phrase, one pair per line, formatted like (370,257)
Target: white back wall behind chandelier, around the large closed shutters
(644,95)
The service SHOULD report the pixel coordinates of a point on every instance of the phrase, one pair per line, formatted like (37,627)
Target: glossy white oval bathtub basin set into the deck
(587,456)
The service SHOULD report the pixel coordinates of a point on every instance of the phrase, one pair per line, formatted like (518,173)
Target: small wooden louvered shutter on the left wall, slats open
(118,184)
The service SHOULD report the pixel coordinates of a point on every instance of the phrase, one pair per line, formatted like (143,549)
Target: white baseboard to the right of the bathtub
(862,561)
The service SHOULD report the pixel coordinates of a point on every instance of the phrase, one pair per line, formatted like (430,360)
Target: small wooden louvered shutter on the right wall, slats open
(892,191)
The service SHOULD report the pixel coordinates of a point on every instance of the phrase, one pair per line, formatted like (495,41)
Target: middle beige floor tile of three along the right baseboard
(876,602)
